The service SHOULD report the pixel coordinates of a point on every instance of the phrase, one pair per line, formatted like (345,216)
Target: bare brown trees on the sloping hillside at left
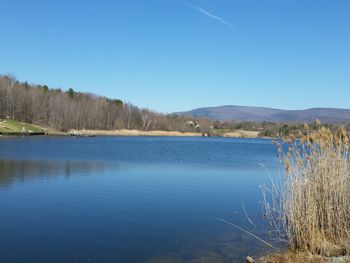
(65,110)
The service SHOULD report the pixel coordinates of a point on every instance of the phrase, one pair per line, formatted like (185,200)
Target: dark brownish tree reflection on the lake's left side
(22,170)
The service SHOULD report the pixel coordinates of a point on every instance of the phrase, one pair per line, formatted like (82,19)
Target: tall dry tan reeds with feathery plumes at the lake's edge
(309,206)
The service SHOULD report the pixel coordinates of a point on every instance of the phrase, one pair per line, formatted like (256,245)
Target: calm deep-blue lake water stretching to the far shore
(131,199)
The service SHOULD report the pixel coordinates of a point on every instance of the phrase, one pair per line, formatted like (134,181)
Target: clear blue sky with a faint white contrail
(173,55)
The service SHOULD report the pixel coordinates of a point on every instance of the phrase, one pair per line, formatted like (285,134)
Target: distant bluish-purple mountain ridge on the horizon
(245,113)
